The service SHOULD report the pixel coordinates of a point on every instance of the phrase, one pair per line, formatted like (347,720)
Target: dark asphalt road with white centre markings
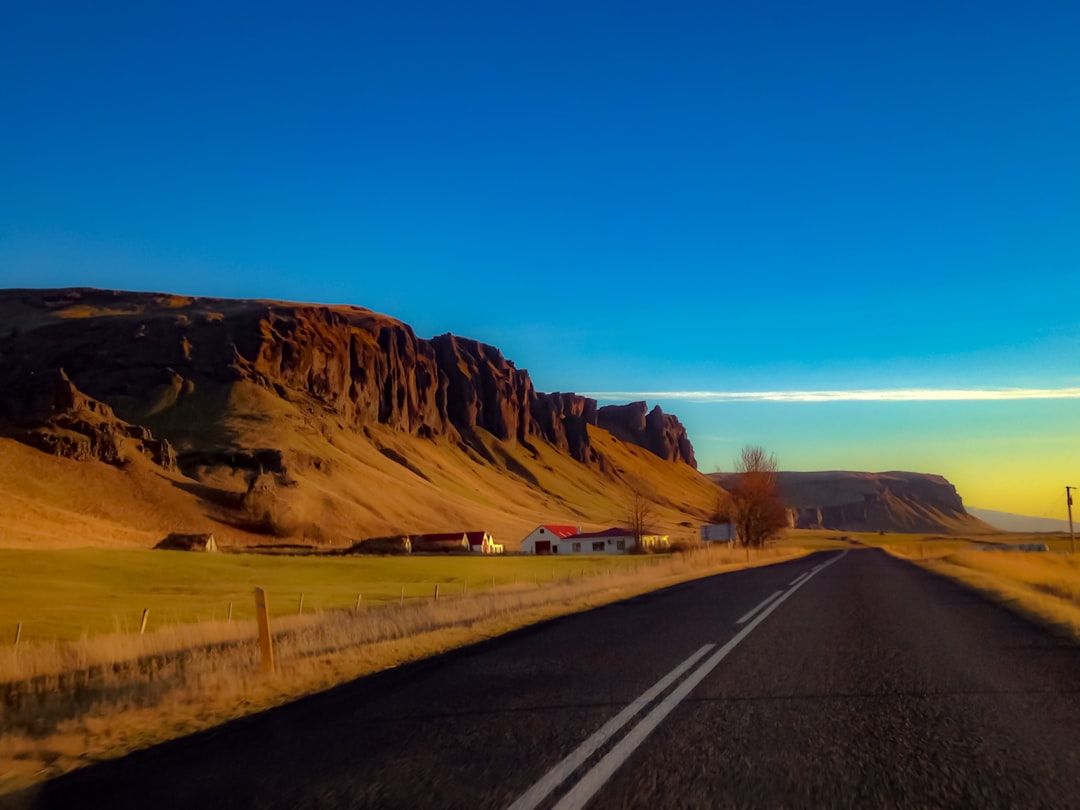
(868,683)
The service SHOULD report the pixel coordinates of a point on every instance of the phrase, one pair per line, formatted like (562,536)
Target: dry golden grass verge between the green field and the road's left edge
(202,674)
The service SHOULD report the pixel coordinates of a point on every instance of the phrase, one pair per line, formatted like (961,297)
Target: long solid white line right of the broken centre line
(597,777)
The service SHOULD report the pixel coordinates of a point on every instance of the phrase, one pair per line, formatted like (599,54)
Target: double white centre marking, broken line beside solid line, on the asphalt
(596,778)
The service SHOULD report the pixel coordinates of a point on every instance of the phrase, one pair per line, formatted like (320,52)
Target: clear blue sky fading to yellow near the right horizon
(687,200)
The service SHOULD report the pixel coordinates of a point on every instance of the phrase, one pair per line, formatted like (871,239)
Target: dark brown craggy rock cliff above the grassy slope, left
(142,355)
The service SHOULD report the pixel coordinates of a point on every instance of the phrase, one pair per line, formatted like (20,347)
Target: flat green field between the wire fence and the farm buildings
(64,595)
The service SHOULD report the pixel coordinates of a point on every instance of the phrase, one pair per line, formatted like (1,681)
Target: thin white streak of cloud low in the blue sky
(896,395)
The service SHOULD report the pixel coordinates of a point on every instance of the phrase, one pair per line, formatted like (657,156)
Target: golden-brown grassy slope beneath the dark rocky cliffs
(357,491)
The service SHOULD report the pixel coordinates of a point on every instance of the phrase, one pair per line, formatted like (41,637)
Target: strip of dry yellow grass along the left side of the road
(214,685)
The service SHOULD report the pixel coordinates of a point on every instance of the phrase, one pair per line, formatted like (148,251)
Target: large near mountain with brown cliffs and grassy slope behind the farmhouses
(282,418)
